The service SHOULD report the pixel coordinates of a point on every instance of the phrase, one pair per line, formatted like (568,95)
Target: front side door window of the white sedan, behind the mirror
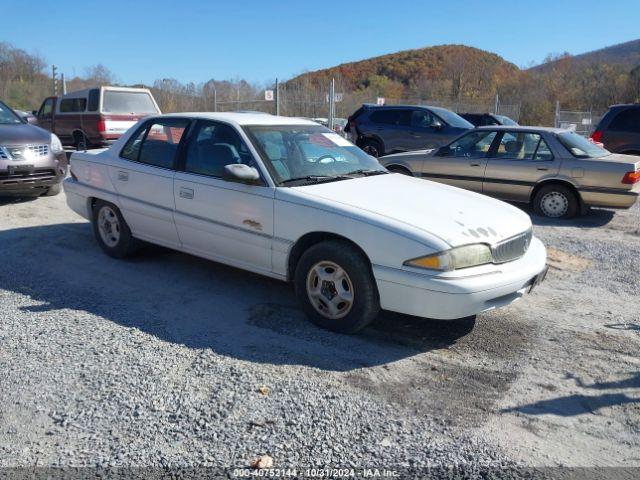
(213,146)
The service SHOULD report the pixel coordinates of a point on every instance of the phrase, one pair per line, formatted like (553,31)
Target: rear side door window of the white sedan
(157,144)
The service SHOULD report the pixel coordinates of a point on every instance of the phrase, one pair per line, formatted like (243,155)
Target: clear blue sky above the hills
(196,40)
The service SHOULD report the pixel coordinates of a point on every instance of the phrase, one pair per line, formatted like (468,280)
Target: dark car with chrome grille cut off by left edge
(32,161)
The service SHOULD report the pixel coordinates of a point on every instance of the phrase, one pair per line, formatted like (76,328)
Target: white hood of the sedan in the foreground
(456,216)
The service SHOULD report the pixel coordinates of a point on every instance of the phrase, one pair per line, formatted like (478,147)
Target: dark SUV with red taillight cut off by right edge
(619,129)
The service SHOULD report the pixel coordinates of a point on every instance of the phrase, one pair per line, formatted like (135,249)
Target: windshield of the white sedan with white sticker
(307,153)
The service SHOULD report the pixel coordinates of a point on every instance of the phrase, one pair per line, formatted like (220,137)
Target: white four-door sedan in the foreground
(290,199)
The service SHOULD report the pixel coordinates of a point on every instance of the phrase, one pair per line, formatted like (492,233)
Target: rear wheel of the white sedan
(111,231)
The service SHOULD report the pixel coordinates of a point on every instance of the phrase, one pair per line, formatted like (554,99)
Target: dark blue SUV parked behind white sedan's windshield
(381,130)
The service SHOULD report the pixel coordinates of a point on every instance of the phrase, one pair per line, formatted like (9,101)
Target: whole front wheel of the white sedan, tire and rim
(335,286)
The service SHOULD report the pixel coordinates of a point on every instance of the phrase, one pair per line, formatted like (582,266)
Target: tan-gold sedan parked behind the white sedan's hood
(558,171)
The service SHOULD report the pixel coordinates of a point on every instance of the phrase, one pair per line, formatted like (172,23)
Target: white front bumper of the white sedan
(450,297)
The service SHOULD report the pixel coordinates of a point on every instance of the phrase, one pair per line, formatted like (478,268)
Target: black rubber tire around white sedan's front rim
(365,303)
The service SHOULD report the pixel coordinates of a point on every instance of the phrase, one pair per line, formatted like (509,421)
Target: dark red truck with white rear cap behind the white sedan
(95,117)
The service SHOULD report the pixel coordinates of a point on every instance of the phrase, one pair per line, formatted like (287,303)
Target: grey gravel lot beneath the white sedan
(159,361)
